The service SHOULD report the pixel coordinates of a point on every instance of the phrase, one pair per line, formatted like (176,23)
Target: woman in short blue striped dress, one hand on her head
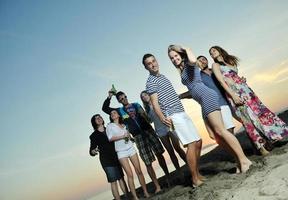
(185,61)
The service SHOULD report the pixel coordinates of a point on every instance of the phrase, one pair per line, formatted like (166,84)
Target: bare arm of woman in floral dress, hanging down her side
(216,70)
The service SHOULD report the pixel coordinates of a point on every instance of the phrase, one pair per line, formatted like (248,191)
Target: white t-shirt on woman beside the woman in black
(114,130)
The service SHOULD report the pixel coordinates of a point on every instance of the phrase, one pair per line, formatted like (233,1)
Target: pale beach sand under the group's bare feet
(267,179)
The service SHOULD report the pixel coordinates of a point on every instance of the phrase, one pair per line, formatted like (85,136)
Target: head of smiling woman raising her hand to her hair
(177,55)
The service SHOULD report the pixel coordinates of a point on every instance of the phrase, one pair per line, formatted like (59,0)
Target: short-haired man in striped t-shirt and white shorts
(169,109)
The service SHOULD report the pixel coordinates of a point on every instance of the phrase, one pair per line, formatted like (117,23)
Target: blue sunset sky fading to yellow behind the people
(58,59)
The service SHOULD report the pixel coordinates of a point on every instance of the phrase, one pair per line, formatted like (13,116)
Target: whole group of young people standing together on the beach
(222,95)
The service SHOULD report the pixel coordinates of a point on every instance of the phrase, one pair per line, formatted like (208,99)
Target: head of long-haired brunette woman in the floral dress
(220,56)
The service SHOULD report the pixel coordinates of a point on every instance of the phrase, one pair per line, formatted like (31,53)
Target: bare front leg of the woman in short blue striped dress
(216,122)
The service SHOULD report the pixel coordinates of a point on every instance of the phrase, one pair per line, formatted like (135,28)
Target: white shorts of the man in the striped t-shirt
(184,128)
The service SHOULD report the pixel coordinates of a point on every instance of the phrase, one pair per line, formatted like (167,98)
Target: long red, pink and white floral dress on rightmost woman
(260,123)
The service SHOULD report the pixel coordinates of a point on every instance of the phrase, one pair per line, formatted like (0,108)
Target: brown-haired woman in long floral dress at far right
(260,123)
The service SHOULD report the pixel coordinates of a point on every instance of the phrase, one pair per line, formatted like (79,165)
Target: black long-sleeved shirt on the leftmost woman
(108,156)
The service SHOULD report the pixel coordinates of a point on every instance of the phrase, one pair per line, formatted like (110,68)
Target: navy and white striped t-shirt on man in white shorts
(168,99)
